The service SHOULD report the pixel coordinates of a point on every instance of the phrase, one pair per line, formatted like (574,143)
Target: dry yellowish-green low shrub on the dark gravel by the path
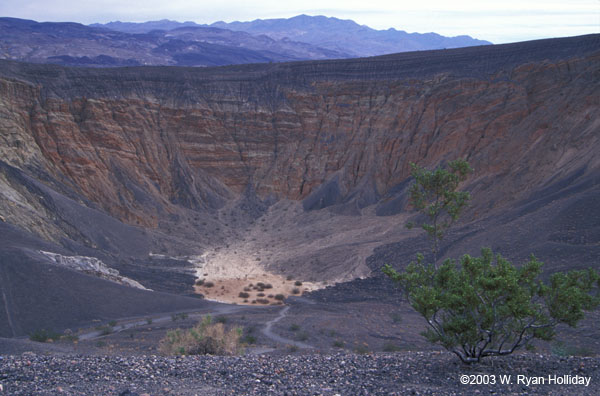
(206,338)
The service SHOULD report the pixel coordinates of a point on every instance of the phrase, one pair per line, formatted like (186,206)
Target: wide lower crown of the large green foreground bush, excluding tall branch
(482,308)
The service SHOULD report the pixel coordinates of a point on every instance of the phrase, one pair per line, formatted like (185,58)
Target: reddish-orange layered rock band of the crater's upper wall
(138,157)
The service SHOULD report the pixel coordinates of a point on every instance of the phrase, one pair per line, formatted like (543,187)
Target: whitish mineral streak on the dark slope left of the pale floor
(92,266)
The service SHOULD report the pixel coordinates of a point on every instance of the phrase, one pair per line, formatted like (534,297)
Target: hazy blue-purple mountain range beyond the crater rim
(188,44)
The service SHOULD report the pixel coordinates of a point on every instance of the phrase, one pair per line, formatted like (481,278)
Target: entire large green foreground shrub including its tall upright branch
(483,306)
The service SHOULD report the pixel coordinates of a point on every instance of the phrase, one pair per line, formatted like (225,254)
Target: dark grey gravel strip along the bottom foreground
(316,374)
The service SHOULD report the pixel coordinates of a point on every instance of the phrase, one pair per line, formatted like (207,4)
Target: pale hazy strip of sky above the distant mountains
(496,21)
